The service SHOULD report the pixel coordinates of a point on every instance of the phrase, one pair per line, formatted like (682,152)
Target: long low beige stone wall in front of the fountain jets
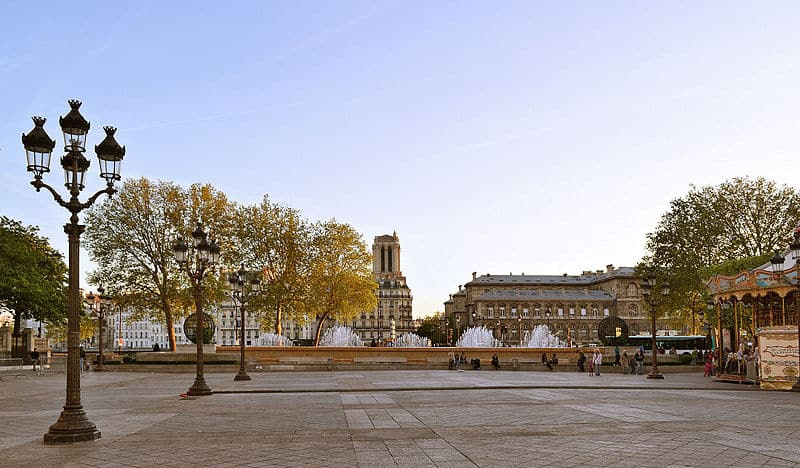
(431,358)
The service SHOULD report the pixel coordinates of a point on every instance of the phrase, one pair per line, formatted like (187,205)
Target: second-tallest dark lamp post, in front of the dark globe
(197,260)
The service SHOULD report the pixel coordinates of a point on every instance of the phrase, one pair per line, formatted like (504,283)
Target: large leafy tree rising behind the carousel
(738,219)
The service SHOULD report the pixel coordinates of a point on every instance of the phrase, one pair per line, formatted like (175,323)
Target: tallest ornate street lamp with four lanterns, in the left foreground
(72,424)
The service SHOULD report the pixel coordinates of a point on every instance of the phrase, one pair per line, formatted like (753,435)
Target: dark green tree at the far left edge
(33,276)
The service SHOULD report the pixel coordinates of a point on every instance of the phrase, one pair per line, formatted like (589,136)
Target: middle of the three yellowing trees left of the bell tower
(275,238)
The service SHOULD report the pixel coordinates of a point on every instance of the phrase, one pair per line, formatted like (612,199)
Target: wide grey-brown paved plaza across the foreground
(405,418)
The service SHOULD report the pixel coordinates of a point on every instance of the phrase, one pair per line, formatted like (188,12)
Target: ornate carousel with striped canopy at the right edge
(758,311)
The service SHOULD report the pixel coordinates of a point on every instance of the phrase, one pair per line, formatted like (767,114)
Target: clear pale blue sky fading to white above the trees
(497,137)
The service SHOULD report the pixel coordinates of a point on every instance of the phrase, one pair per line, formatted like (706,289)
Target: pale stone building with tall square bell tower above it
(392,316)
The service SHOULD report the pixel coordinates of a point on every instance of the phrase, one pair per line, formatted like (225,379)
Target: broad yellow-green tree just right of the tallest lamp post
(130,237)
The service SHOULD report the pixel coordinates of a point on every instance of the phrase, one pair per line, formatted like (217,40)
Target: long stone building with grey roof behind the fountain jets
(512,305)
